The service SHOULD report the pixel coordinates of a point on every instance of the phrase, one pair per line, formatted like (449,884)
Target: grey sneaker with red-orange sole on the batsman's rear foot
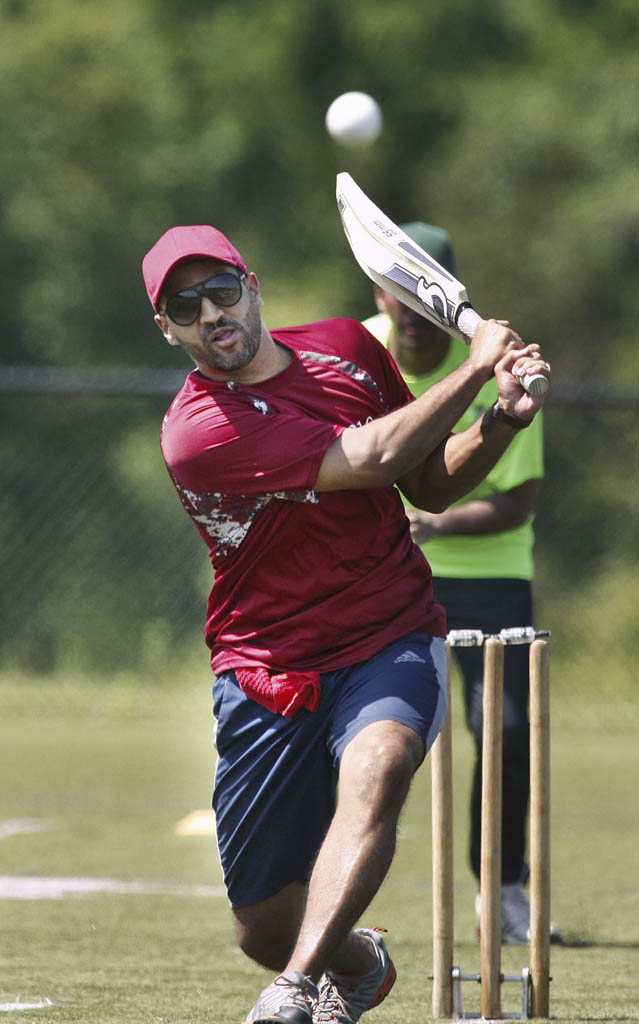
(344,999)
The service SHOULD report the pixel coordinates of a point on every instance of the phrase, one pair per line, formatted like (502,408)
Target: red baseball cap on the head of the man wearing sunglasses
(182,244)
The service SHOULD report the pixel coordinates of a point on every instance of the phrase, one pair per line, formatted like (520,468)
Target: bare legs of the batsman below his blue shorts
(375,778)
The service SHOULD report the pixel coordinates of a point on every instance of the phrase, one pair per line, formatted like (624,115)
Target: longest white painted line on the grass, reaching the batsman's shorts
(34,887)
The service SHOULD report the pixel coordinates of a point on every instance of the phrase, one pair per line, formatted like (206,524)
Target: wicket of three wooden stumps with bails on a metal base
(447,993)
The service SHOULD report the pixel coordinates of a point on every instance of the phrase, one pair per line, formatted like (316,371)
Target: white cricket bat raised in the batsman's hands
(398,265)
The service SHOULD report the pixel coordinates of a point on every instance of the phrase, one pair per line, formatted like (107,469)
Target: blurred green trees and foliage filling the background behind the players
(514,125)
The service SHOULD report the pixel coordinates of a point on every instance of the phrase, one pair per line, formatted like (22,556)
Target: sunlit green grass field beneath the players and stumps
(108,773)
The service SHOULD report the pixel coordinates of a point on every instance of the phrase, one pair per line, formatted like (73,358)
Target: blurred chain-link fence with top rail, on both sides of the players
(102,571)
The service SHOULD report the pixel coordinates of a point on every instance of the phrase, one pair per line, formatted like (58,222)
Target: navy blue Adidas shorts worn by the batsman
(277,778)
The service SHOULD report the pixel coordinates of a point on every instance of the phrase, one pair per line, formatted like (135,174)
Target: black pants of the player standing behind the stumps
(490,606)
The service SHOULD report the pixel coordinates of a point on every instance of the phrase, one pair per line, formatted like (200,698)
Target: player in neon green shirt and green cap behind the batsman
(481,553)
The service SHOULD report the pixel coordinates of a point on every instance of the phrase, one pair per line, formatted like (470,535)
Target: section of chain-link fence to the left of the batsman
(101,569)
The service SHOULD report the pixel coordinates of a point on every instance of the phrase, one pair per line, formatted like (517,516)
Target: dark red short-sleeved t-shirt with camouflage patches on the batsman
(304,580)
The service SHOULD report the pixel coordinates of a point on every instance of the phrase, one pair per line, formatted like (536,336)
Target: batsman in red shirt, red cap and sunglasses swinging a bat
(285,448)
